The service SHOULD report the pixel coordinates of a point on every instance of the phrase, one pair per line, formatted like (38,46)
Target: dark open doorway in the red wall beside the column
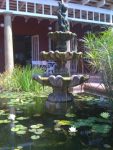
(22,50)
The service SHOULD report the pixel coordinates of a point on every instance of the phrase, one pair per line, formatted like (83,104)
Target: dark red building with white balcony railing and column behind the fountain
(24,26)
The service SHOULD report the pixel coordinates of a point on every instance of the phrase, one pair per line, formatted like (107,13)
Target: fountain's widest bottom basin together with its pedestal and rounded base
(60,100)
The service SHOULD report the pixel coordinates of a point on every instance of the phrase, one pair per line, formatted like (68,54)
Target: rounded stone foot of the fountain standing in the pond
(59,103)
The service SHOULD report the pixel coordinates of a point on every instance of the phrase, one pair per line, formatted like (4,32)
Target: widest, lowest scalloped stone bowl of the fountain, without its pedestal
(59,81)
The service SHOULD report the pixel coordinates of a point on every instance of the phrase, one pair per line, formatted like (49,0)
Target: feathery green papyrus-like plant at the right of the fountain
(100,51)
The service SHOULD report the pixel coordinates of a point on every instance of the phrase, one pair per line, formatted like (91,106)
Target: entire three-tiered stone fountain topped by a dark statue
(60,81)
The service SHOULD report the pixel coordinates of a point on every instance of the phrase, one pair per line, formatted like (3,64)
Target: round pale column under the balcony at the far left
(8,43)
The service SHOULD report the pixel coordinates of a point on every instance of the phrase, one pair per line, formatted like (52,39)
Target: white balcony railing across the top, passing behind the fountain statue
(47,9)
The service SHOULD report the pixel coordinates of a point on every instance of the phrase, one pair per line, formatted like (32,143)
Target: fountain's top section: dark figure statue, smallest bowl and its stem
(63,34)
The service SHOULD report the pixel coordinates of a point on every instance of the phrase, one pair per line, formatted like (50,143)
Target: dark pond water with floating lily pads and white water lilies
(86,126)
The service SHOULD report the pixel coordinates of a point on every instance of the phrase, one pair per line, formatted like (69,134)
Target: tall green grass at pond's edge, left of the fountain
(21,79)
